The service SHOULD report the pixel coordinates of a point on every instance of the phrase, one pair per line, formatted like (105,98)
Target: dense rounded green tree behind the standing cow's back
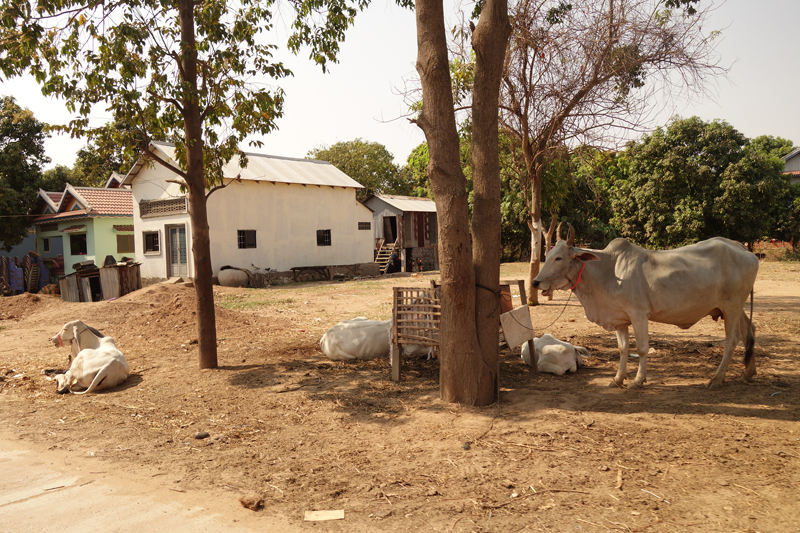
(696,180)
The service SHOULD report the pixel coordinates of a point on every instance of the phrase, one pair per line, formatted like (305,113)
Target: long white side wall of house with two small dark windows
(286,219)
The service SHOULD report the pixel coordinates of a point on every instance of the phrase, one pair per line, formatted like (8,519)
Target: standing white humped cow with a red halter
(626,285)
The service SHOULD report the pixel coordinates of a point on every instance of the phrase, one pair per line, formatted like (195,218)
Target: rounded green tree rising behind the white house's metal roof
(369,163)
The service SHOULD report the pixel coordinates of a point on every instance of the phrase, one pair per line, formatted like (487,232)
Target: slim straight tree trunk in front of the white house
(195,180)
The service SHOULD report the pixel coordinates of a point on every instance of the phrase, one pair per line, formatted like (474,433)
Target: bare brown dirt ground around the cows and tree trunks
(556,454)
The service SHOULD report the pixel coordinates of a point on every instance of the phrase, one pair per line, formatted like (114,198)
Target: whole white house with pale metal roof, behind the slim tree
(276,213)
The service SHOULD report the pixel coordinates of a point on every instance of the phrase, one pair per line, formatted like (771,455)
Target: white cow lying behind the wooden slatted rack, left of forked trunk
(361,338)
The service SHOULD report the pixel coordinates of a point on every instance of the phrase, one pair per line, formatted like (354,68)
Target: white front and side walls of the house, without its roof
(285,217)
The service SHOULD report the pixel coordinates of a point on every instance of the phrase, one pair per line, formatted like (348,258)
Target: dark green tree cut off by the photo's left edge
(21,160)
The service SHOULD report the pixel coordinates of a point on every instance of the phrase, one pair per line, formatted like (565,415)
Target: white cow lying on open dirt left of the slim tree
(97,365)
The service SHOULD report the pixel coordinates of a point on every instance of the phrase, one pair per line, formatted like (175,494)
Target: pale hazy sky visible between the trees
(362,95)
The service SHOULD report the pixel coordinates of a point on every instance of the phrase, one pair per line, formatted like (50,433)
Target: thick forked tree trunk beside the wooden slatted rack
(467,373)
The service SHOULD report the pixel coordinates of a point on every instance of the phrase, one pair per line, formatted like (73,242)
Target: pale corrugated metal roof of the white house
(276,169)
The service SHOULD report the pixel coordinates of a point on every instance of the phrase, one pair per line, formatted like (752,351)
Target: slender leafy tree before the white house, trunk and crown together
(179,71)
